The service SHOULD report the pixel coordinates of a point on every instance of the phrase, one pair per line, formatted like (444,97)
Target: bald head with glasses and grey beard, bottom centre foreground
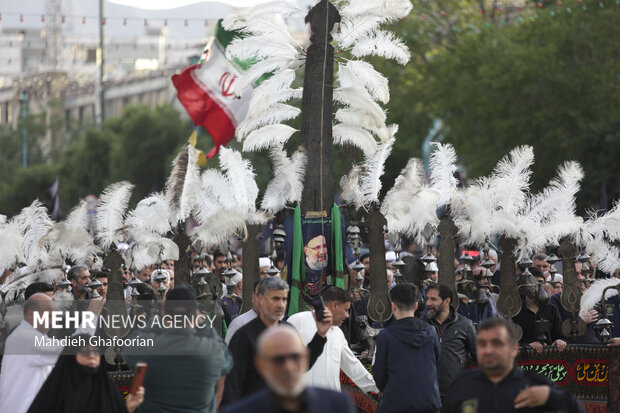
(282,359)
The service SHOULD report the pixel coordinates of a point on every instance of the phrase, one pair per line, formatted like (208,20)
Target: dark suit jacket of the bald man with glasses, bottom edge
(316,400)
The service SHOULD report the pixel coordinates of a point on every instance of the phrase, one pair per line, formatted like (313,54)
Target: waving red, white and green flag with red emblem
(205,90)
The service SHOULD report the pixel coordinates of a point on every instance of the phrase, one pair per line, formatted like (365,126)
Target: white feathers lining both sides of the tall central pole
(360,119)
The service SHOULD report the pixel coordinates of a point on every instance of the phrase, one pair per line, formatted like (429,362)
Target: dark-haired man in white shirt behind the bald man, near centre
(336,355)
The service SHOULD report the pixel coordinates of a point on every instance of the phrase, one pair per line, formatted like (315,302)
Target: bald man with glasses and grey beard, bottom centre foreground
(282,359)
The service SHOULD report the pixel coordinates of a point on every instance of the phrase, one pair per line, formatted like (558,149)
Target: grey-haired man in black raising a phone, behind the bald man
(244,379)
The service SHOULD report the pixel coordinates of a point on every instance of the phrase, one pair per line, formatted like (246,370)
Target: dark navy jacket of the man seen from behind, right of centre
(405,367)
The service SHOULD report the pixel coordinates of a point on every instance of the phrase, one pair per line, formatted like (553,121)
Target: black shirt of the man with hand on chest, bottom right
(474,392)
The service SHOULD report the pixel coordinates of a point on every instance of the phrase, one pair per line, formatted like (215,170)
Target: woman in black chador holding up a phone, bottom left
(79,383)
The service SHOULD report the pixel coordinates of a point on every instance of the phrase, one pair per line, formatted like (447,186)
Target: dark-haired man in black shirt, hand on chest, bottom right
(498,385)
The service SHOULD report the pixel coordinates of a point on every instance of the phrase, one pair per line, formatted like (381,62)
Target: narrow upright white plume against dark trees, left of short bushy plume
(110,213)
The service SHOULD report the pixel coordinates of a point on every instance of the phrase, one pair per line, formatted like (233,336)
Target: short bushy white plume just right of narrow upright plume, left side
(151,214)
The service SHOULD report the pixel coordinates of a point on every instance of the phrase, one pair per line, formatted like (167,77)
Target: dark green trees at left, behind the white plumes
(138,146)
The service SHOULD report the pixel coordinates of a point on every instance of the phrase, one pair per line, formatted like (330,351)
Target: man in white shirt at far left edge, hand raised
(25,365)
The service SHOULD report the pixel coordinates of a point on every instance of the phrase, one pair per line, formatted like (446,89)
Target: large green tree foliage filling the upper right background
(550,81)
